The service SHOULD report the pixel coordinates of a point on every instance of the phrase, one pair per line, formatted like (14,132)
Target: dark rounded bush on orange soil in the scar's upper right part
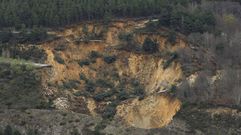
(150,46)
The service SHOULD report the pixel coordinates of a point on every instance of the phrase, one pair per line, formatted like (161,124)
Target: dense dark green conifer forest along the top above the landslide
(54,13)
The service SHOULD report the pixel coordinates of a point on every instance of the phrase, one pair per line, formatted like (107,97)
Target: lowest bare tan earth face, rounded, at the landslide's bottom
(152,112)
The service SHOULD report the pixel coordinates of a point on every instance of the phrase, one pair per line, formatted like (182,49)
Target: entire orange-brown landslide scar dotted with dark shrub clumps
(95,72)
